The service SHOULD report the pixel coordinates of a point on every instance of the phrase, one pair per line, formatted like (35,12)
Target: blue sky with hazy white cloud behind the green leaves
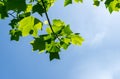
(97,58)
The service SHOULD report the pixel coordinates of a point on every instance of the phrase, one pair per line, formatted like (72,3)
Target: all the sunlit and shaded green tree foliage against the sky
(58,34)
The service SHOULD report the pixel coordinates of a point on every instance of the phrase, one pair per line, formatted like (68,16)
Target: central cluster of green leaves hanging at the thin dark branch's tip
(52,44)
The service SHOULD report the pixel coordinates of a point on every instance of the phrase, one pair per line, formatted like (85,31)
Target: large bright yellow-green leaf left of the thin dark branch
(29,24)
